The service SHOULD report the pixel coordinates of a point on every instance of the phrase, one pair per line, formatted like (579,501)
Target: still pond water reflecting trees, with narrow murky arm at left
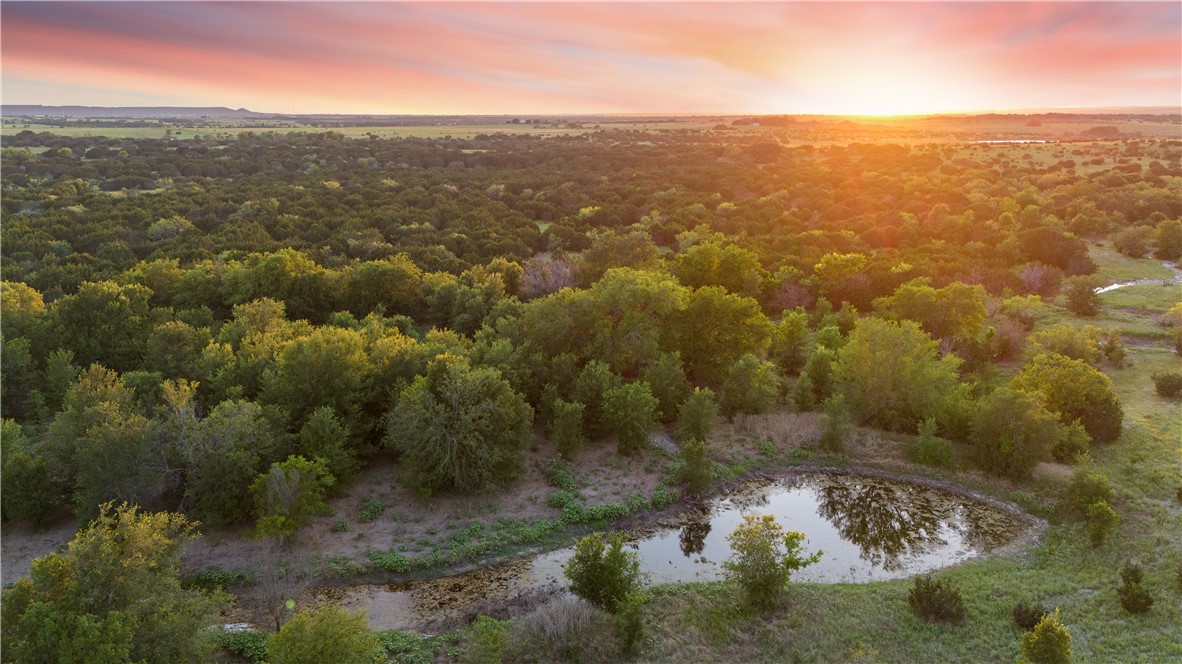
(869,529)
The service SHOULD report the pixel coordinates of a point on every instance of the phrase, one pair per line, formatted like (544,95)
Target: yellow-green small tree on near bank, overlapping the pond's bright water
(763,558)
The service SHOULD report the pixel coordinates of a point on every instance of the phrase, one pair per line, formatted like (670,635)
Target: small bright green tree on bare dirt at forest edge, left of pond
(290,494)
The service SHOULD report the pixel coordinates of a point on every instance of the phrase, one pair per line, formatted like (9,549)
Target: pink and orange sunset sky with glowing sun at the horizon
(540,58)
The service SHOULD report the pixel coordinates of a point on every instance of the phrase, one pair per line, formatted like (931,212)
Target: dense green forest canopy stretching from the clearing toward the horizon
(200,310)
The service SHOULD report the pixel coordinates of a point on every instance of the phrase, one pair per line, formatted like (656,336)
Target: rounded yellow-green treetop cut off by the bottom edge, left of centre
(329,634)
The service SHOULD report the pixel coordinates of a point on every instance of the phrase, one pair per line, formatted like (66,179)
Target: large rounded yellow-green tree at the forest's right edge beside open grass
(1074,390)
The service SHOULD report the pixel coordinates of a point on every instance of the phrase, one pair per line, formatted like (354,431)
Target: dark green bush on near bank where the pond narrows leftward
(602,571)
